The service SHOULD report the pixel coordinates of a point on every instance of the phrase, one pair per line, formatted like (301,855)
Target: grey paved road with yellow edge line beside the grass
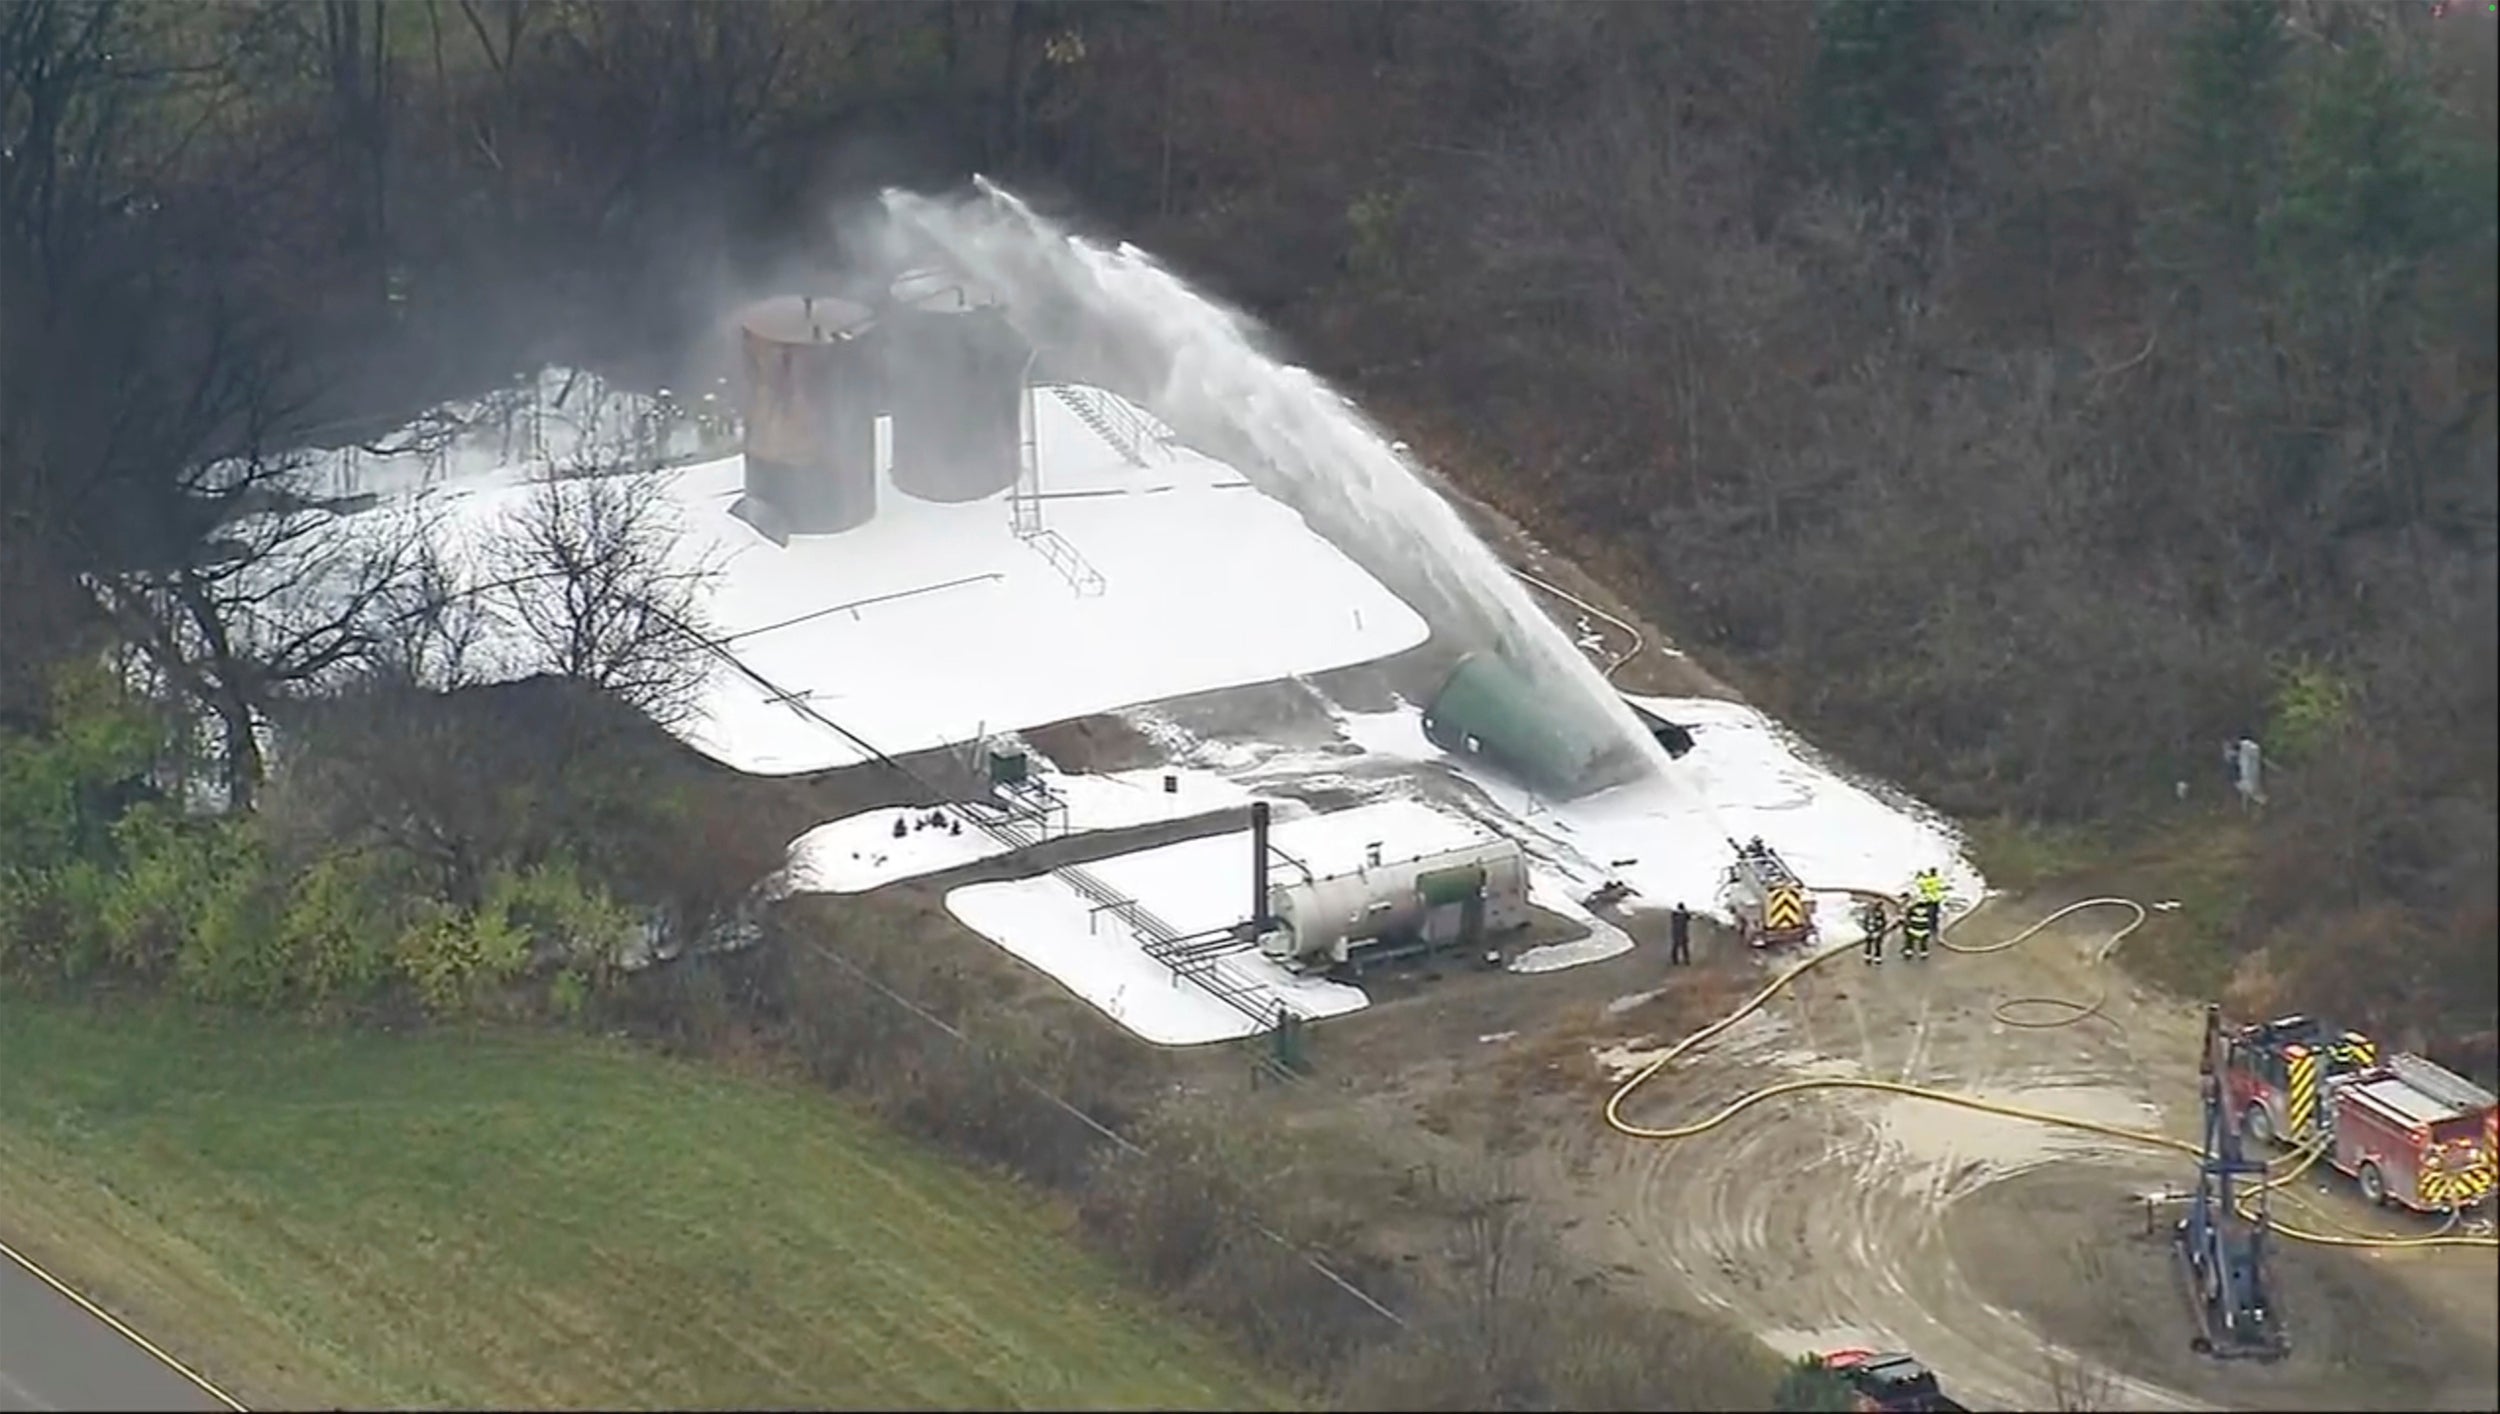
(54,1355)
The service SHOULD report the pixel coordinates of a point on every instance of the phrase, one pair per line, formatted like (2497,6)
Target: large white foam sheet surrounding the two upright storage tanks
(956,628)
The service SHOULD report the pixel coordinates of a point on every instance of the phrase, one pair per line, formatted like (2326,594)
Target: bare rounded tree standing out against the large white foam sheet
(599,593)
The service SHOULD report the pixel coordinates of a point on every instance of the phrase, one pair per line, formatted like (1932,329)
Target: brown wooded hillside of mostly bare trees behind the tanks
(2019,396)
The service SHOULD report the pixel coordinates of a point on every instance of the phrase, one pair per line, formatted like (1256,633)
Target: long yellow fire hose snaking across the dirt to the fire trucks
(2299,1163)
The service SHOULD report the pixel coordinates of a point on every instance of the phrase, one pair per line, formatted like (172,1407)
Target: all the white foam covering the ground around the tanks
(1209,586)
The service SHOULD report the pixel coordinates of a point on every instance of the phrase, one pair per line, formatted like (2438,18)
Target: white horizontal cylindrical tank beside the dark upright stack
(1321,923)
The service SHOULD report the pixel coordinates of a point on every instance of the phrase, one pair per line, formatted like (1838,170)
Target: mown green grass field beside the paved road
(534,1220)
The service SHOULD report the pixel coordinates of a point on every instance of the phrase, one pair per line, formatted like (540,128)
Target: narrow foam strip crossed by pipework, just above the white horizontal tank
(864,853)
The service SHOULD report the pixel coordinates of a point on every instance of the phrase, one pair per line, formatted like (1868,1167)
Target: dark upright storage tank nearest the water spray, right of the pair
(956,388)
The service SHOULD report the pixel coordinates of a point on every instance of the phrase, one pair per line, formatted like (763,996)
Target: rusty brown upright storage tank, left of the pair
(811,403)
